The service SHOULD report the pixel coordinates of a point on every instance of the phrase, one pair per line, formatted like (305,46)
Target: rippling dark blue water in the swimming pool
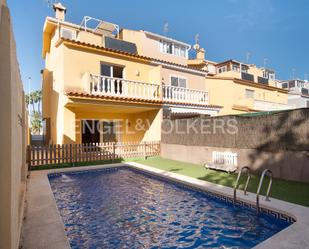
(124,208)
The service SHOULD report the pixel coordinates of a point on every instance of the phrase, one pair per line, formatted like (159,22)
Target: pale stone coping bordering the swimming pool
(42,214)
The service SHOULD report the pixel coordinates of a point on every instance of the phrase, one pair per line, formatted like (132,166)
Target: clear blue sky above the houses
(273,29)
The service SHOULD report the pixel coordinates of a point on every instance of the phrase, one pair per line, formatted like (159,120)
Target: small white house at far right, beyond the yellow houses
(298,92)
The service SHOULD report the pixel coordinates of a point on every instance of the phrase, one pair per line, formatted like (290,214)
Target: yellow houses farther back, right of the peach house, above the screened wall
(250,89)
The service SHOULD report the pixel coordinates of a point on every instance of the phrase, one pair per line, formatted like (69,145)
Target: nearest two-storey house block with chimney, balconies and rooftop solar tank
(120,81)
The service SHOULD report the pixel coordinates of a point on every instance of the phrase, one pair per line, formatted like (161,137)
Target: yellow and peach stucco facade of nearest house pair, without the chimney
(135,100)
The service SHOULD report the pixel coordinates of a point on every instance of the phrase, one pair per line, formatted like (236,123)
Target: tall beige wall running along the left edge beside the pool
(13,126)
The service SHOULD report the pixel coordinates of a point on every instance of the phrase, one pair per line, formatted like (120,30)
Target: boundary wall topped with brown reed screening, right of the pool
(278,141)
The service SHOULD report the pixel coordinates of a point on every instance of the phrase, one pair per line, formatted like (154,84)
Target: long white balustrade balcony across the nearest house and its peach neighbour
(118,87)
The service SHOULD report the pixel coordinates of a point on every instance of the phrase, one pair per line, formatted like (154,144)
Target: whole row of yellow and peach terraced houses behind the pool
(130,75)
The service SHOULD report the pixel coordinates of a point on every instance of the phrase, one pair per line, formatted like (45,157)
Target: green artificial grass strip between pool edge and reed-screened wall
(295,192)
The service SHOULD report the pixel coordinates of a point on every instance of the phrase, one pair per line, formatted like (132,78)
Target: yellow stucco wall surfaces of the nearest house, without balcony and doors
(66,113)
